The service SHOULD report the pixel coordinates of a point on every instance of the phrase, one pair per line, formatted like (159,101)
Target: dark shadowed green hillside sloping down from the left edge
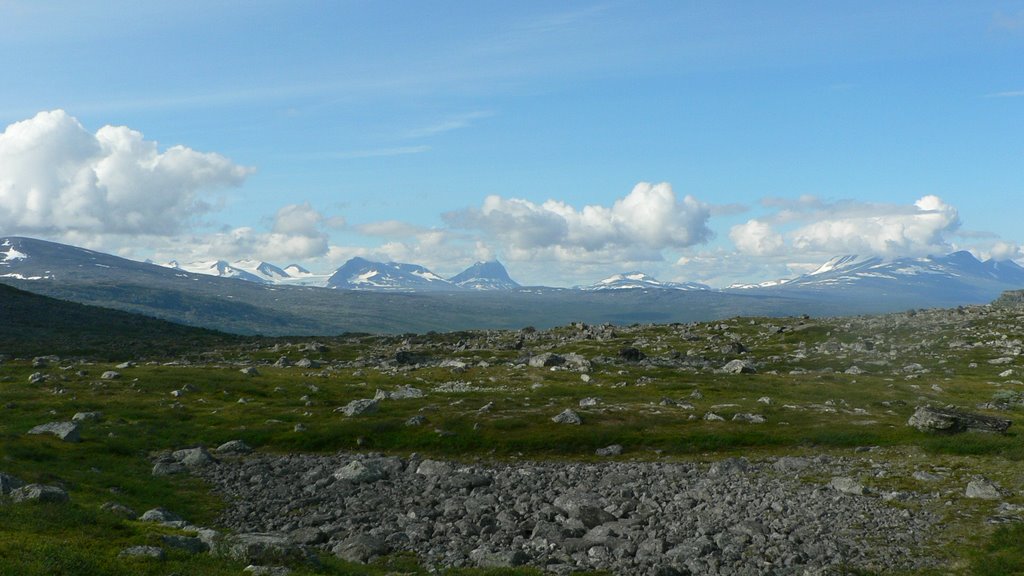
(35,325)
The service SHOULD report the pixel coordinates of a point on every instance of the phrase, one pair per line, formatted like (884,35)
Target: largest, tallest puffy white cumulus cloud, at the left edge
(57,179)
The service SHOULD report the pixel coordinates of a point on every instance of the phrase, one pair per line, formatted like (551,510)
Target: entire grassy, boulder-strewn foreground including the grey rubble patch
(867,445)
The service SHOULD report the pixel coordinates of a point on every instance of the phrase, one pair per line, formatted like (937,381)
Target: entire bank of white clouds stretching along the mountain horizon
(115,190)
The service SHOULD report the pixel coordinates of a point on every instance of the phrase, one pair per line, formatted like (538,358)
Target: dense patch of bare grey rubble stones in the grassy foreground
(782,516)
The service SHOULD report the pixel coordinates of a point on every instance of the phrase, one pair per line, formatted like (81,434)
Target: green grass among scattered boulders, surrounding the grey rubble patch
(819,412)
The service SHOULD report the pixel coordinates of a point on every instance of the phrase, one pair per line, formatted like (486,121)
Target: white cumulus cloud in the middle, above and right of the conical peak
(647,221)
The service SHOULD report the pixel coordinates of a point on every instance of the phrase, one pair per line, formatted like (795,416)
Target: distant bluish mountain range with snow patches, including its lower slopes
(254,298)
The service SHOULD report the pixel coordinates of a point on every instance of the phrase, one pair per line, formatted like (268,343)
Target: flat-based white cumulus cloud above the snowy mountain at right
(820,228)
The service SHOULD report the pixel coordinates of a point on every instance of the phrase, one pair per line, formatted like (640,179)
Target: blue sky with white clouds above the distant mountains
(720,142)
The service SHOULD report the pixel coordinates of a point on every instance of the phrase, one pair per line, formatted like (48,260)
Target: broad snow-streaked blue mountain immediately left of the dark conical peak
(361,274)
